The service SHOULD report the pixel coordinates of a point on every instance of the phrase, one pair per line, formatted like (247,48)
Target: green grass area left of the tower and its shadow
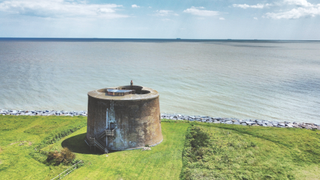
(21,135)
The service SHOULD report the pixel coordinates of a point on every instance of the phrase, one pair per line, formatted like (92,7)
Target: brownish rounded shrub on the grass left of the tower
(65,156)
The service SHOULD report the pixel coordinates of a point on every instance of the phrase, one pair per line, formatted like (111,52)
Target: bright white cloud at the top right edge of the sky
(296,13)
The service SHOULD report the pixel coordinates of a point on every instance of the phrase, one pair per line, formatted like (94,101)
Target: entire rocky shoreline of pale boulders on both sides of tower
(207,119)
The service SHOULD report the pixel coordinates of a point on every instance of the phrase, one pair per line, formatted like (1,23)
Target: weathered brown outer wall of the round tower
(136,118)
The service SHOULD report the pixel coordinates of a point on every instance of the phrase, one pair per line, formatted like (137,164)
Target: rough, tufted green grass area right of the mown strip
(244,152)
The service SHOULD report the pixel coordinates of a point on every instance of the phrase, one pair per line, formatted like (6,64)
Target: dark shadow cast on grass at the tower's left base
(76,144)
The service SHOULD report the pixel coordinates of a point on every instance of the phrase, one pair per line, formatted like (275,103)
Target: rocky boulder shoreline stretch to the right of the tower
(244,122)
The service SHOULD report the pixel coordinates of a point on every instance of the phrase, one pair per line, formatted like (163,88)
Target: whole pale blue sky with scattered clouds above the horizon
(185,19)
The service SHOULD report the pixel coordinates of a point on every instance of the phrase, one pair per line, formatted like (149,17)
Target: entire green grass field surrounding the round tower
(216,151)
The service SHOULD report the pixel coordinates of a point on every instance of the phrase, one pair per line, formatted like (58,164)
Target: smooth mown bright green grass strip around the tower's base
(162,162)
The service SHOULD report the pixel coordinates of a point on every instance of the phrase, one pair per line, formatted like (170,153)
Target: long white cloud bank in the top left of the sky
(60,9)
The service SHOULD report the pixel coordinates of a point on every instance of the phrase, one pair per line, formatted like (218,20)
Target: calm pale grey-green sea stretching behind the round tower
(244,79)
